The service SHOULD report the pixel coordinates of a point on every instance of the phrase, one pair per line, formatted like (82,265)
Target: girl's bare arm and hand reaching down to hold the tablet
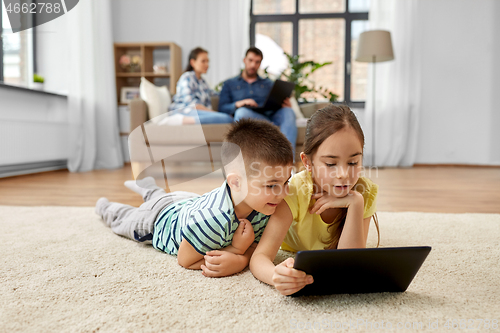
(284,277)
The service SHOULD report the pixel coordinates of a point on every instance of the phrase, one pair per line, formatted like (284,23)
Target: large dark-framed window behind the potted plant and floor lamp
(318,30)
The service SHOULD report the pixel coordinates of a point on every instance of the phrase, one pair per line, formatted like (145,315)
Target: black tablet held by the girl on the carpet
(355,271)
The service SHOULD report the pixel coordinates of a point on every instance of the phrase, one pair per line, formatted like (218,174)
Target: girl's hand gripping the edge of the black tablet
(287,280)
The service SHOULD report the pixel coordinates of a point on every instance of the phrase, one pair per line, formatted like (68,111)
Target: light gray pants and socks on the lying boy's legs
(138,222)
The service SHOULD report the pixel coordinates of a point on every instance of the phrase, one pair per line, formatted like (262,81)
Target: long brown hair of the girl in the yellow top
(320,126)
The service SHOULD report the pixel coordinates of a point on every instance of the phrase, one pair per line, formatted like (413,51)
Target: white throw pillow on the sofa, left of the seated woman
(157,98)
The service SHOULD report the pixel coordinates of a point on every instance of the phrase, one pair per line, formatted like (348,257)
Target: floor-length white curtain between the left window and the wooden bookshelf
(93,118)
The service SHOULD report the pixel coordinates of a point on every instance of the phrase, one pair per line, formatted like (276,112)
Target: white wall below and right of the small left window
(34,126)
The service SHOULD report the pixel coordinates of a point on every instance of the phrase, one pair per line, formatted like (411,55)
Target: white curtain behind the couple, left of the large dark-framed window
(220,26)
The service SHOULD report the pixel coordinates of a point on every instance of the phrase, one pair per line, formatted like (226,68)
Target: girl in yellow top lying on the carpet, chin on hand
(329,206)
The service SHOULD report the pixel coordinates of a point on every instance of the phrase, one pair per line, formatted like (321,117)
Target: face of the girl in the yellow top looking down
(337,163)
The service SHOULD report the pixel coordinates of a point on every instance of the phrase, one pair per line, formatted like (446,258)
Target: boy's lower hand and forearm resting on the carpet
(221,263)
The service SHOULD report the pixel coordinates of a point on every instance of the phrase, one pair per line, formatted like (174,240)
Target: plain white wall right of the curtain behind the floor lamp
(459,119)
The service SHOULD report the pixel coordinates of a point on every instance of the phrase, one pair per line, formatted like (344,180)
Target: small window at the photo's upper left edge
(16,53)
